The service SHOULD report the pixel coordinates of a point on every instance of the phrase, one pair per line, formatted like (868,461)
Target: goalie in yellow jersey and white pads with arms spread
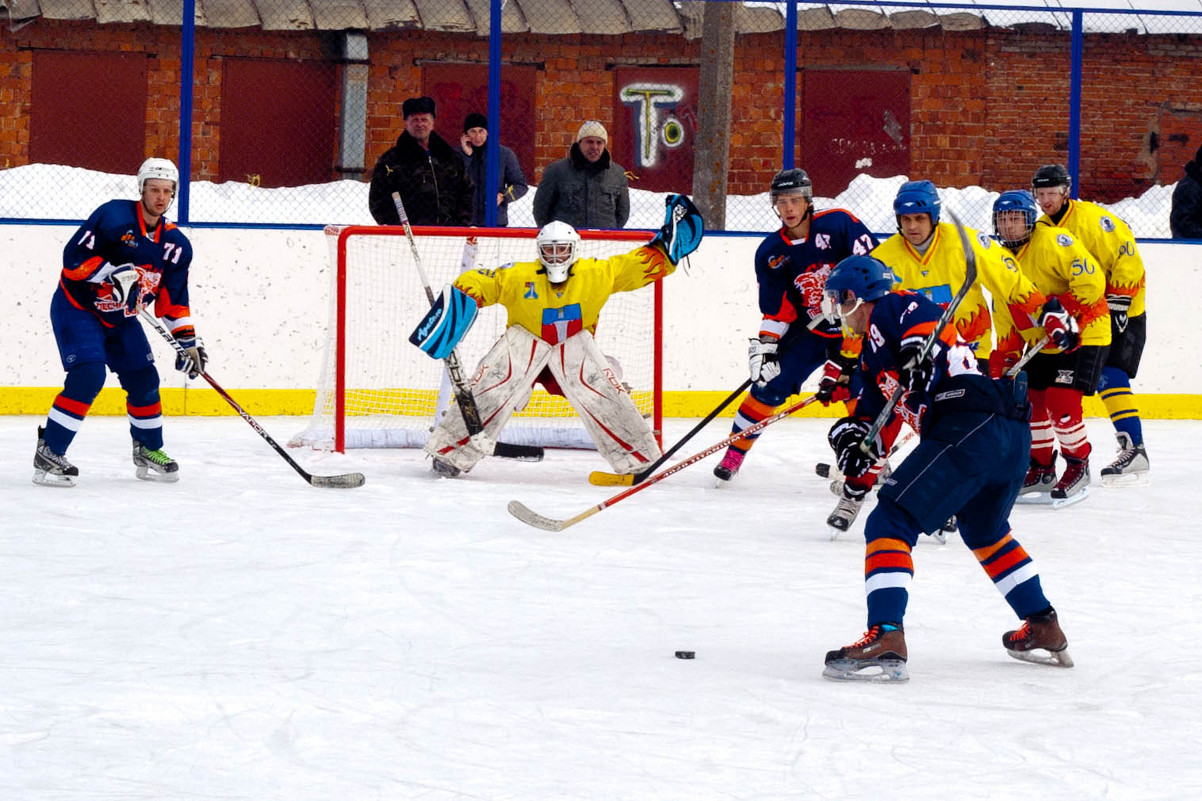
(554,306)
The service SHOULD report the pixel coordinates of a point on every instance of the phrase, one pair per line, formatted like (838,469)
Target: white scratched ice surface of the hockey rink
(243,636)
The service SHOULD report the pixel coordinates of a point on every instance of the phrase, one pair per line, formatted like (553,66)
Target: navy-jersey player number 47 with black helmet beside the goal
(795,339)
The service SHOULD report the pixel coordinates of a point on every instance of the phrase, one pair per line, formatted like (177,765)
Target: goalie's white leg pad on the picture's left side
(503,385)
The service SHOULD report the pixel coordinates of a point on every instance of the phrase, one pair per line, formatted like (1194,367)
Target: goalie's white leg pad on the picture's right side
(604,406)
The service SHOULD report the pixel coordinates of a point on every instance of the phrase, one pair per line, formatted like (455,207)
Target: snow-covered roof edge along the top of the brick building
(614,17)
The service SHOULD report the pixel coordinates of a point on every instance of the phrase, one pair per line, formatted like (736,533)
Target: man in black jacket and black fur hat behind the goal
(426,170)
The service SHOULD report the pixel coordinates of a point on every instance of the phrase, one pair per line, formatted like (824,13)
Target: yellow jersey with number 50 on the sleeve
(1062,269)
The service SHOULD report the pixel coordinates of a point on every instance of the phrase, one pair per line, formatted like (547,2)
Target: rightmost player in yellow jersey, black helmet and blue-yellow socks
(1112,245)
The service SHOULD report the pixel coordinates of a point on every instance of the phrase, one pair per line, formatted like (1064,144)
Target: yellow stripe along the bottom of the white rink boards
(203,401)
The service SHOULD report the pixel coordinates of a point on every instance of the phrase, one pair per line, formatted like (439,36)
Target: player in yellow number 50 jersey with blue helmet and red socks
(1078,324)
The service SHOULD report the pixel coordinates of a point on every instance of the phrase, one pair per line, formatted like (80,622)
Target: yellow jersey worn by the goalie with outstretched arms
(523,289)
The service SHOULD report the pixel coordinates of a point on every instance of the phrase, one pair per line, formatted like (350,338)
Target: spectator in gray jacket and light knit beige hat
(587,189)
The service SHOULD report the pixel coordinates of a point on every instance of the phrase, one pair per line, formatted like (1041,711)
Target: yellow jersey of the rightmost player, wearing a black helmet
(1112,245)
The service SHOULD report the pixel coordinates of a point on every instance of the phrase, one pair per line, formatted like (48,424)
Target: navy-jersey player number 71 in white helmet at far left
(122,259)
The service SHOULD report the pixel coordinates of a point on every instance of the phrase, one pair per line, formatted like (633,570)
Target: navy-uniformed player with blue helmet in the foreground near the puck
(971,462)
